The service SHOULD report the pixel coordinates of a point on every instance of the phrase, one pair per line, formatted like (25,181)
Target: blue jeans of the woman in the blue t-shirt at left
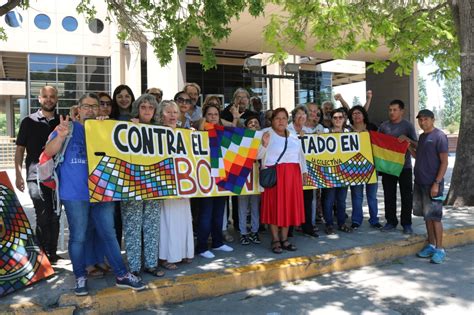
(82,216)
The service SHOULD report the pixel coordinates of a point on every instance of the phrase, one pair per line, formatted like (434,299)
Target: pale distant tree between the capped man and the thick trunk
(452,101)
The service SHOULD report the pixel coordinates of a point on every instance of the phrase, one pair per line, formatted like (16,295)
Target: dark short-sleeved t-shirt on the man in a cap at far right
(427,160)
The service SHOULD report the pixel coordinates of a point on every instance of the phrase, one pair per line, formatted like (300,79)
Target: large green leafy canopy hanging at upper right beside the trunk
(411,31)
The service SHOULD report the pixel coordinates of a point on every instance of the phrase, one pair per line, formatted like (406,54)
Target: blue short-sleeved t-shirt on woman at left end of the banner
(73,171)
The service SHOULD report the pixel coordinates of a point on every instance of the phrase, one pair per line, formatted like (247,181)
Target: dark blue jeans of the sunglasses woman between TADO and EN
(335,195)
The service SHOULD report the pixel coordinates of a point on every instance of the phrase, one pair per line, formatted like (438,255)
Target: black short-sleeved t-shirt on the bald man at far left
(33,134)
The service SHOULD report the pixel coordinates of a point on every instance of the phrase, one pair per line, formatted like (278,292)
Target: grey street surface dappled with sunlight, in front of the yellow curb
(408,285)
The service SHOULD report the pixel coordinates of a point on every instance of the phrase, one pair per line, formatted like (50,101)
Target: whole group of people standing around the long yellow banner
(164,233)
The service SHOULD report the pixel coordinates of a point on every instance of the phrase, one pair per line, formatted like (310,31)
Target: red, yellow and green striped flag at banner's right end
(388,152)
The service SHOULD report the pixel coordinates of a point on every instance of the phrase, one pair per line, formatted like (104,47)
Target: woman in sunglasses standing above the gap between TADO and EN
(336,195)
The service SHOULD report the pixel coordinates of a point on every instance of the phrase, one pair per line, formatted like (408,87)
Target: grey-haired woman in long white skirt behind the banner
(176,230)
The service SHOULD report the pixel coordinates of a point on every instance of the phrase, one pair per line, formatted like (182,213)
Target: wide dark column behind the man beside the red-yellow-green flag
(387,86)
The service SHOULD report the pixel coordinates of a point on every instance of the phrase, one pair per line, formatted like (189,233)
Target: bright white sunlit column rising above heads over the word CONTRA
(171,77)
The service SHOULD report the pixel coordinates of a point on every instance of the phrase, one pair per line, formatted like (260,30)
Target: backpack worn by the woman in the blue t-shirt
(46,167)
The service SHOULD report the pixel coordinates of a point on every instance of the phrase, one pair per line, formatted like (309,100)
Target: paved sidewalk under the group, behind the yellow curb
(47,293)
